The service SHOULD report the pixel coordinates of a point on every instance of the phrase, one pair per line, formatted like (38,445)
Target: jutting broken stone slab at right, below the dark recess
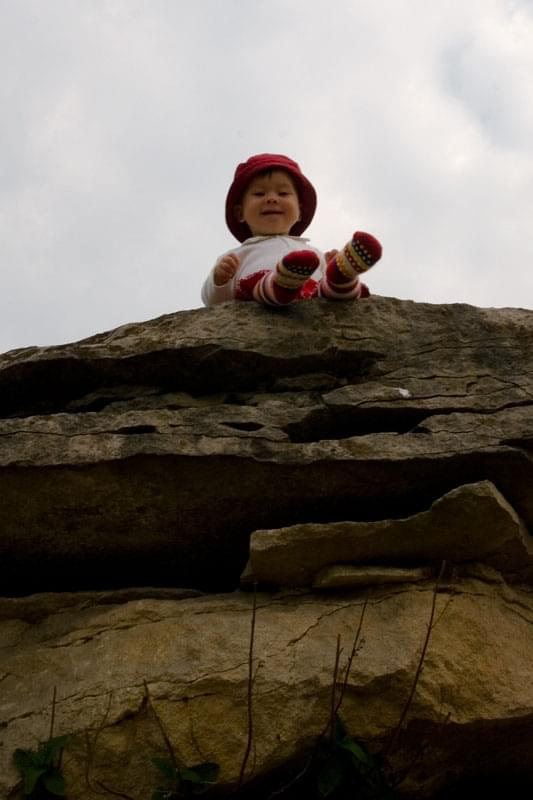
(471,523)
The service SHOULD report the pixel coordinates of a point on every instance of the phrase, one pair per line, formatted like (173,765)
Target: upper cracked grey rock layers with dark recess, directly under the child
(149,454)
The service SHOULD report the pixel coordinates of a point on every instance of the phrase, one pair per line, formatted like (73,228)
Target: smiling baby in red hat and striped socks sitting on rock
(269,204)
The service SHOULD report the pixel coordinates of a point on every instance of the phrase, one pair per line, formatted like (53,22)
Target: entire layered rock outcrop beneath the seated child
(340,458)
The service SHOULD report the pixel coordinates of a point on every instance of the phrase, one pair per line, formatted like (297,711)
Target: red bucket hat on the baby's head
(260,163)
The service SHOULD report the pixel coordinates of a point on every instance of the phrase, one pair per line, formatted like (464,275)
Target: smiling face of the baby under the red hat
(270,204)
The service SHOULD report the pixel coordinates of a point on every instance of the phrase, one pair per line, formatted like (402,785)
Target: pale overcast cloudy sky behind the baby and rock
(123,121)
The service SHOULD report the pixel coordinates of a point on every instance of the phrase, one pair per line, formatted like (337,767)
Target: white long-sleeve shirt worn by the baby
(256,253)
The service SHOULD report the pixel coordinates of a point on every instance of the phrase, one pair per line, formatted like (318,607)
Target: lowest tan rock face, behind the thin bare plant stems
(193,655)
